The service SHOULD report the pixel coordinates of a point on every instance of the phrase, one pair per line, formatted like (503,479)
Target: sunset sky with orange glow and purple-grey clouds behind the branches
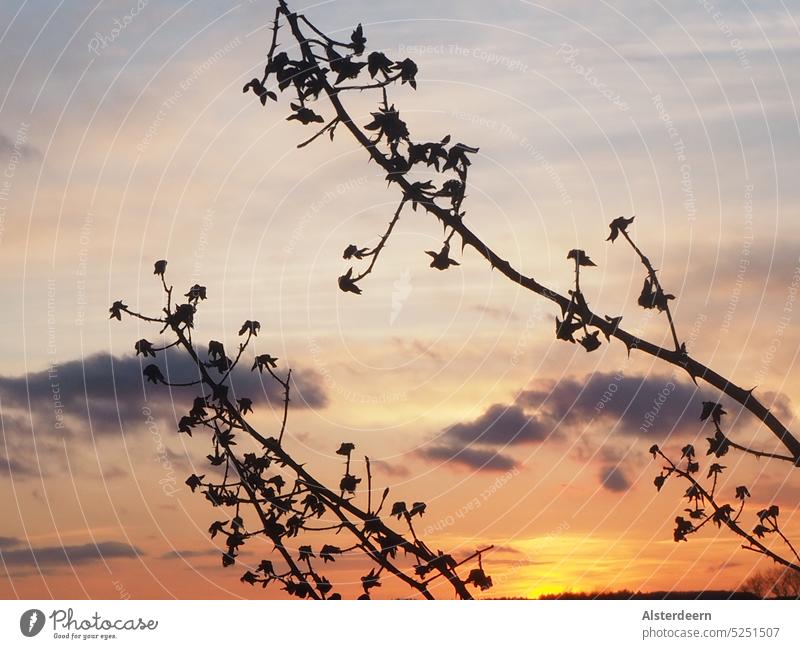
(122,146)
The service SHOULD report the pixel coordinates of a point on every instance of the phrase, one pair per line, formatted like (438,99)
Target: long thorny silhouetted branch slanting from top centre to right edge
(321,71)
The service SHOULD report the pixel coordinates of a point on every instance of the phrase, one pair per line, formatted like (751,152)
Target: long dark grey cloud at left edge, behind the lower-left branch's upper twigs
(107,395)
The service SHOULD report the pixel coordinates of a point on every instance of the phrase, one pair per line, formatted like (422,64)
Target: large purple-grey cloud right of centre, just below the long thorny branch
(648,407)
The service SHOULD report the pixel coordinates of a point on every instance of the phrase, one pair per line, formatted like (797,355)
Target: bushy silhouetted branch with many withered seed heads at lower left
(268,493)
